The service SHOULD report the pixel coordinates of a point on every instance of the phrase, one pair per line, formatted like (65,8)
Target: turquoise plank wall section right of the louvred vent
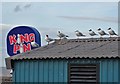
(109,71)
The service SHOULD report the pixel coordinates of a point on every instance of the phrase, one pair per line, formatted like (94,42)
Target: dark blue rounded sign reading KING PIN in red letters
(21,39)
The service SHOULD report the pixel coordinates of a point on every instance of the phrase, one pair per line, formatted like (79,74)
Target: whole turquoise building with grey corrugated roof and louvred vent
(83,61)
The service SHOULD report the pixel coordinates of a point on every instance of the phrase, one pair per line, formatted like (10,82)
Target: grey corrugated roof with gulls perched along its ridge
(74,48)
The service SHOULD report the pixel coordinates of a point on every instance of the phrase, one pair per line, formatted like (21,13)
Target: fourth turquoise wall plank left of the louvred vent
(51,71)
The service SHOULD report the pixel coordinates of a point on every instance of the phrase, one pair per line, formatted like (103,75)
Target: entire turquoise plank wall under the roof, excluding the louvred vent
(54,70)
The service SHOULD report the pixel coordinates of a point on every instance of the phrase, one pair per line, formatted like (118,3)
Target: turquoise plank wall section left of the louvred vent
(40,71)
